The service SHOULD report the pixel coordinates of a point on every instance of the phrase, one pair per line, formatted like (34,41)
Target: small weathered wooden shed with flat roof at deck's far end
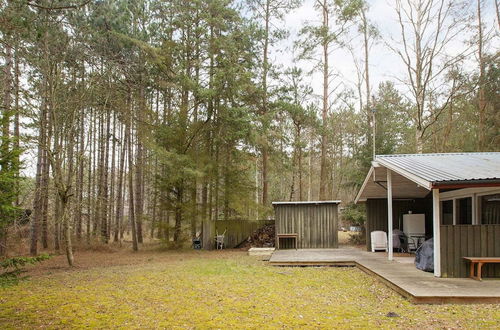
(306,225)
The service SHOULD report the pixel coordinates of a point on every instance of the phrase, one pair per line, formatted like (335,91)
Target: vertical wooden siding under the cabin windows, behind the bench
(469,241)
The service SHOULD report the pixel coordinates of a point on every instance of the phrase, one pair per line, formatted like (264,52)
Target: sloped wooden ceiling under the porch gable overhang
(376,186)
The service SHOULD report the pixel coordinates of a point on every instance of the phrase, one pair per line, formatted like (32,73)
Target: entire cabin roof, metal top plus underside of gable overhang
(414,175)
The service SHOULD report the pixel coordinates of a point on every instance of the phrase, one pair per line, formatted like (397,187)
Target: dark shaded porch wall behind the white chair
(376,215)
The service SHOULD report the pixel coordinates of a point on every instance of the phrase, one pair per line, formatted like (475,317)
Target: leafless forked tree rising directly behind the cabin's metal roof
(427,30)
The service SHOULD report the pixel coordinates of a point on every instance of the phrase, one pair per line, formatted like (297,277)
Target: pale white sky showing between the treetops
(385,64)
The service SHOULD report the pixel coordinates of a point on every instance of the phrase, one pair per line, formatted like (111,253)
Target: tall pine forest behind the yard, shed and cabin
(140,119)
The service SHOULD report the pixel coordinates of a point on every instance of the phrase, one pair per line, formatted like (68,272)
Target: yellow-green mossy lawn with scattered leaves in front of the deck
(216,289)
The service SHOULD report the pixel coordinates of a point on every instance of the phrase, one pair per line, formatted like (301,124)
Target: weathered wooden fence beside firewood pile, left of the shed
(238,230)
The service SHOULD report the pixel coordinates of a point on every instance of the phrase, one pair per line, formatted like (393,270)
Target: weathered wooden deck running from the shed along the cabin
(402,276)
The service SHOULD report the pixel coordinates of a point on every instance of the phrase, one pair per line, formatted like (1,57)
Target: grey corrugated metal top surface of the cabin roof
(447,167)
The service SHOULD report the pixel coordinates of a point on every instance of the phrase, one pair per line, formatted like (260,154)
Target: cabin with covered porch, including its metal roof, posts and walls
(456,194)
